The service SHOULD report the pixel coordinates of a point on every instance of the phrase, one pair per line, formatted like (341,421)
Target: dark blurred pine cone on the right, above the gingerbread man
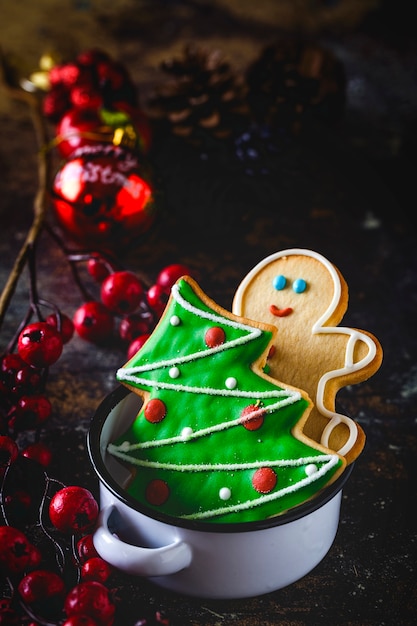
(294,81)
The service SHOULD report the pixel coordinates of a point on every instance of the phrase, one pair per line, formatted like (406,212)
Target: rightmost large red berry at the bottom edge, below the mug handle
(93,599)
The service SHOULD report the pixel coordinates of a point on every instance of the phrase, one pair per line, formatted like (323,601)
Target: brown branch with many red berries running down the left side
(57,577)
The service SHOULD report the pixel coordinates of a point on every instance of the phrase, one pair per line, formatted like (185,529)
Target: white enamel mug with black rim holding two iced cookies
(218,561)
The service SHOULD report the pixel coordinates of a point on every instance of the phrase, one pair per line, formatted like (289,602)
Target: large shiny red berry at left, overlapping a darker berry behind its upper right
(39,344)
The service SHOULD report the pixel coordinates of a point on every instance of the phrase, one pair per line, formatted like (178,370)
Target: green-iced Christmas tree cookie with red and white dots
(217,439)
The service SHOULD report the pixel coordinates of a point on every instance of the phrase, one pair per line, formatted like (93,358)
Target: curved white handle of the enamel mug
(138,560)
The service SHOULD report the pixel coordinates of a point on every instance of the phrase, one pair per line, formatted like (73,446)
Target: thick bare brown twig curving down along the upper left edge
(40,205)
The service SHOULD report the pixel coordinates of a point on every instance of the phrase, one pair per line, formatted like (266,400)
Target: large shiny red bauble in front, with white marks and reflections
(102,197)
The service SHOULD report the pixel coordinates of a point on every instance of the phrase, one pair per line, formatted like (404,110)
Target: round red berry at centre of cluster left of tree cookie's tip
(122,292)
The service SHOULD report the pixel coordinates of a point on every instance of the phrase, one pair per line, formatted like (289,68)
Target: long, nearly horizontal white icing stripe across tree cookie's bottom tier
(219,467)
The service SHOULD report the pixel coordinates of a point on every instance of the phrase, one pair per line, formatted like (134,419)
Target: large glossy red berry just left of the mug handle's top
(73,509)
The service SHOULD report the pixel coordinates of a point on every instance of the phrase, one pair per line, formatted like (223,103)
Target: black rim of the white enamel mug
(94,451)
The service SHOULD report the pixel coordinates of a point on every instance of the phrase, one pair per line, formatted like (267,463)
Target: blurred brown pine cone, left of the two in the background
(203,93)
